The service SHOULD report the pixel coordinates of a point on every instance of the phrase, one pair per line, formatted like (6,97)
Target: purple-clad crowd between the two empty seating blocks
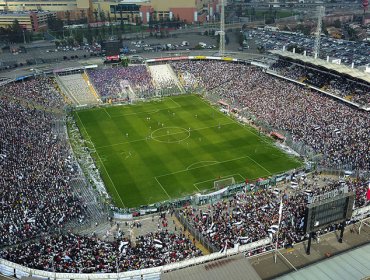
(115,83)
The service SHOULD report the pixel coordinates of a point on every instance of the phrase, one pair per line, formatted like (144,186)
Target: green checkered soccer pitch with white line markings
(167,149)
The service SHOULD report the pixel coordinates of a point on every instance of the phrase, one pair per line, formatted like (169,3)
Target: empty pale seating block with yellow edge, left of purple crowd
(75,86)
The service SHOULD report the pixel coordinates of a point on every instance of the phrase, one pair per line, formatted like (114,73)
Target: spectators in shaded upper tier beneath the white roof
(357,92)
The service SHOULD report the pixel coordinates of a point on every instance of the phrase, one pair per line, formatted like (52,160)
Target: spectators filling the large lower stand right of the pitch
(336,131)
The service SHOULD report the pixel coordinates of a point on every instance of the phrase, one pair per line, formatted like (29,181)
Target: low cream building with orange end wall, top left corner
(33,21)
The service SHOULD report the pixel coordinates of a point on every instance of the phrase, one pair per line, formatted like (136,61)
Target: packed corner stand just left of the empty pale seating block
(40,91)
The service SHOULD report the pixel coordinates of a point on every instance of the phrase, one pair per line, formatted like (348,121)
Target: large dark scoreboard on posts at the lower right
(327,212)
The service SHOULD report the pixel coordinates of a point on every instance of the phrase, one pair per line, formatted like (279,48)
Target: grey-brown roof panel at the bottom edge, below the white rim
(235,267)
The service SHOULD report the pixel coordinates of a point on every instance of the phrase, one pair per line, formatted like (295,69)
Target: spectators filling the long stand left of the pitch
(35,195)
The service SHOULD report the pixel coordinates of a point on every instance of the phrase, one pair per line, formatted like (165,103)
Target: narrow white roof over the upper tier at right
(339,68)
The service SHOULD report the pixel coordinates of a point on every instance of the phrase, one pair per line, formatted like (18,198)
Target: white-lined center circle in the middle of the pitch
(171,134)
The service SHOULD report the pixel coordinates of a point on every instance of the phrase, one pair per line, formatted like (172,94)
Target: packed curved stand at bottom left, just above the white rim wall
(71,253)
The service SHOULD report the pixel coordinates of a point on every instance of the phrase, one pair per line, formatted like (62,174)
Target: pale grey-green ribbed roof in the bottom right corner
(350,265)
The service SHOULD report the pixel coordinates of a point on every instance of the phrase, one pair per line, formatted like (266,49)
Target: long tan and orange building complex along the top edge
(191,11)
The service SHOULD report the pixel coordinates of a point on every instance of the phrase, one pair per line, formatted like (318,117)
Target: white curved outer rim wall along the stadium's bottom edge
(8,268)
